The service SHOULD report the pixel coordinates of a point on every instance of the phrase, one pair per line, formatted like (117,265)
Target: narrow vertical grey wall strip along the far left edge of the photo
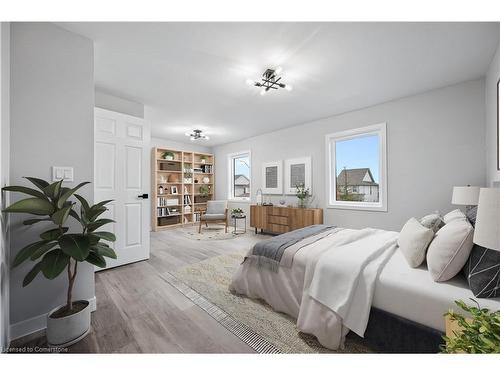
(4,181)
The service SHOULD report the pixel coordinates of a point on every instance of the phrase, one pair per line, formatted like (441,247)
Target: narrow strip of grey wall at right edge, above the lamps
(492,77)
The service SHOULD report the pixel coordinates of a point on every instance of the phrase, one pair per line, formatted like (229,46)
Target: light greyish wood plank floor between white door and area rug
(139,312)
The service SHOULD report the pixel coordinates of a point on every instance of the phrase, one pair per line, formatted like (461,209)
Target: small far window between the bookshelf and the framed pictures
(239,177)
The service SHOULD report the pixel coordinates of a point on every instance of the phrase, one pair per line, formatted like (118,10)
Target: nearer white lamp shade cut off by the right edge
(487,229)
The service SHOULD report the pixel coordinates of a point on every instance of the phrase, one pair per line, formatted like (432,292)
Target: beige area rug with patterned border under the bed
(206,283)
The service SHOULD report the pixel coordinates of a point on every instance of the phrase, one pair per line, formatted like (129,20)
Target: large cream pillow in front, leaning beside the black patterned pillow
(450,249)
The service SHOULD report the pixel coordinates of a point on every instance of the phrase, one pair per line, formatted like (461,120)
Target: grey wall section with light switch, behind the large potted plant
(52,103)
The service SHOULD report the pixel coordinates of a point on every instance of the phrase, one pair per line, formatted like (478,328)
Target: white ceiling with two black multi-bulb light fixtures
(192,75)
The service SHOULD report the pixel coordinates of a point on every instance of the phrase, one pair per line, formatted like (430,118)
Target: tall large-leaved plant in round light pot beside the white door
(60,250)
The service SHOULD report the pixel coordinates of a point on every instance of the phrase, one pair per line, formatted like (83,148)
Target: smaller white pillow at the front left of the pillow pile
(413,241)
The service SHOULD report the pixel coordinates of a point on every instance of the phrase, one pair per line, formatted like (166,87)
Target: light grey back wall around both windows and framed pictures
(435,140)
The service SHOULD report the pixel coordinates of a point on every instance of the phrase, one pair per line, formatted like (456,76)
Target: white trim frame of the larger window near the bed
(331,172)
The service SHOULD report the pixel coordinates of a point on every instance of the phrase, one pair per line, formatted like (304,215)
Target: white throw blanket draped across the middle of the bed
(343,276)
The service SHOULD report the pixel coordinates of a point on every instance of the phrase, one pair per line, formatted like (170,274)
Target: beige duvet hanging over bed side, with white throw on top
(329,288)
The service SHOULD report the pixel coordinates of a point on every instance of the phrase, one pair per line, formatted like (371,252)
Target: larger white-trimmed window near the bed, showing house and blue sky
(357,169)
